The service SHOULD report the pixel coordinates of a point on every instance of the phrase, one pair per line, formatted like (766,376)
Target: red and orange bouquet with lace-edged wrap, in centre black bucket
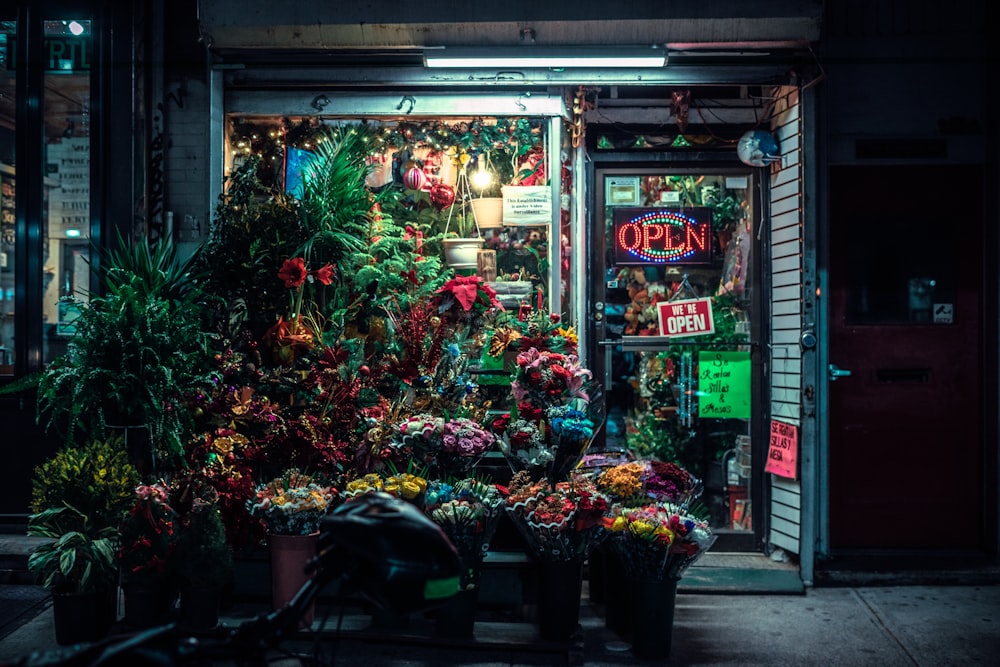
(561,521)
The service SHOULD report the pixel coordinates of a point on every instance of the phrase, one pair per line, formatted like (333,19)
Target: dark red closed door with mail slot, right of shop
(906,449)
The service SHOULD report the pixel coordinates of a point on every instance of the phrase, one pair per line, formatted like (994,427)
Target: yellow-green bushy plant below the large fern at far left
(95,478)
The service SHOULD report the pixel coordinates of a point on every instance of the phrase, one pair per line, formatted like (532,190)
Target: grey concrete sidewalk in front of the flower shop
(880,626)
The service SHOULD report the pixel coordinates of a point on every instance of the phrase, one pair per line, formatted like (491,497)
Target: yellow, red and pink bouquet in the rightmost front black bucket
(658,541)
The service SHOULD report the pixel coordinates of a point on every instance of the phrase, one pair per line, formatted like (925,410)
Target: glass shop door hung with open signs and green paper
(673,321)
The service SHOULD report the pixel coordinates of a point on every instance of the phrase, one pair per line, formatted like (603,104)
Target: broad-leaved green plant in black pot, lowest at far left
(81,556)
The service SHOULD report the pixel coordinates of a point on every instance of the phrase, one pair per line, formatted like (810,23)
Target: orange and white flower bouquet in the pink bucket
(292,504)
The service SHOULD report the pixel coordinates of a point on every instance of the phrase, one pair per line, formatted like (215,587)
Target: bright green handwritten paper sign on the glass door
(724,385)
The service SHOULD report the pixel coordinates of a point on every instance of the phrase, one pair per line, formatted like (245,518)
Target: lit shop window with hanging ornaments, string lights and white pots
(446,178)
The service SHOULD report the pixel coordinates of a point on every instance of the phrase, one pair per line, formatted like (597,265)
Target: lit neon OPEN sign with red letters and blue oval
(663,235)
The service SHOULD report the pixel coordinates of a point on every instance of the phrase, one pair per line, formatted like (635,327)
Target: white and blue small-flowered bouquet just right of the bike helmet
(468,512)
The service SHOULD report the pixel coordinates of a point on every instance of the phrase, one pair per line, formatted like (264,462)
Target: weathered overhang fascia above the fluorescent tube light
(405,28)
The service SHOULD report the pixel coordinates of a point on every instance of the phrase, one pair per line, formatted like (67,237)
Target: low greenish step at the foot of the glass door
(738,572)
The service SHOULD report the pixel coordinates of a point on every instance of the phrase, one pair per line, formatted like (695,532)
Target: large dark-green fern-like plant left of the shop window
(137,355)
